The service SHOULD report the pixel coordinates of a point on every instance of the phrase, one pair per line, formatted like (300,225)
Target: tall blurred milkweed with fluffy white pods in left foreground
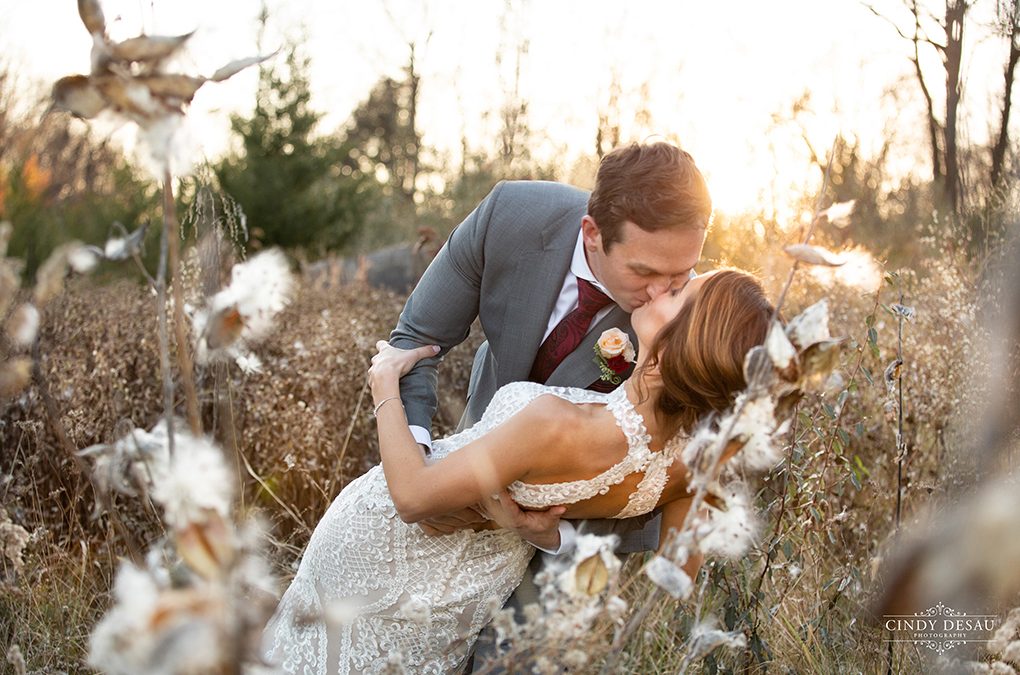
(200,599)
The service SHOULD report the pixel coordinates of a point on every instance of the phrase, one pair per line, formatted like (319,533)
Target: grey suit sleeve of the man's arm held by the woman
(442,307)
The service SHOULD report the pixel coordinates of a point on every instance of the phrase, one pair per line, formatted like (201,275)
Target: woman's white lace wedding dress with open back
(373,592)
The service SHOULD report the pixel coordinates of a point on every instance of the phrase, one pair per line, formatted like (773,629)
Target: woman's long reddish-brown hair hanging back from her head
(700,353)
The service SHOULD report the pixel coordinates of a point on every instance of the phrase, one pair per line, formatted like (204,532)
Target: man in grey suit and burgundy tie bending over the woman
(519,264)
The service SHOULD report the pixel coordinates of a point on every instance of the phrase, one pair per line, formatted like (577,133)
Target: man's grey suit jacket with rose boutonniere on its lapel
(504,265)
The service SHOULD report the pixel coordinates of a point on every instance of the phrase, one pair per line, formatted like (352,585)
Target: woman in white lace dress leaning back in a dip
(372,586)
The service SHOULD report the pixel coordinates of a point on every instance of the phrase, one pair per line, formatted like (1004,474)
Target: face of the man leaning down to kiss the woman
(642,266)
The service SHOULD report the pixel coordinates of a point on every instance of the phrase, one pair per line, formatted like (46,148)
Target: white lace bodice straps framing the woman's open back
(513,398)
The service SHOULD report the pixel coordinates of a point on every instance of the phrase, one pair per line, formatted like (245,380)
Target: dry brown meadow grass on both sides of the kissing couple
(805,611)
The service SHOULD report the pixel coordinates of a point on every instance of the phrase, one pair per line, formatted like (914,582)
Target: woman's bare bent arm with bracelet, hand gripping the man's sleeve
(423,491)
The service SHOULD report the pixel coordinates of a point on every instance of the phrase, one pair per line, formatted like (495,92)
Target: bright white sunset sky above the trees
(715,75)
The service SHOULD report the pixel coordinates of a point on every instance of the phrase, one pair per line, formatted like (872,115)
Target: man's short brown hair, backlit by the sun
(654,186)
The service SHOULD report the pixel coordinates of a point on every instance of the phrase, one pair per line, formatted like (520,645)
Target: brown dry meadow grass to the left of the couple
(100,358)
